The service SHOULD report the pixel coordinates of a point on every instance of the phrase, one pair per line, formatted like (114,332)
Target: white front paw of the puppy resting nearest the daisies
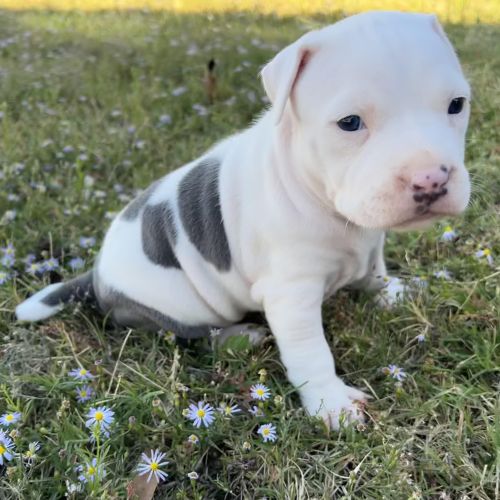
(343,404)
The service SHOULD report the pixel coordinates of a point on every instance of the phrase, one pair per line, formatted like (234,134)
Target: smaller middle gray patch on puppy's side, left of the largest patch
(159,235)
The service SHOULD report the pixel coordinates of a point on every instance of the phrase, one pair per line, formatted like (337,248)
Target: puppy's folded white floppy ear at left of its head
(281,73)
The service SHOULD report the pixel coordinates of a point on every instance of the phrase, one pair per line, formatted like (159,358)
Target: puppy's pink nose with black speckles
(428,186)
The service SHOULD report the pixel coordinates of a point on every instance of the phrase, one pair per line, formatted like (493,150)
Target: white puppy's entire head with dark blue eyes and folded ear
(375,109)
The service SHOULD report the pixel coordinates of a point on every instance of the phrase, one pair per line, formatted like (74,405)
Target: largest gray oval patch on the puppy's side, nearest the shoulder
(201,215)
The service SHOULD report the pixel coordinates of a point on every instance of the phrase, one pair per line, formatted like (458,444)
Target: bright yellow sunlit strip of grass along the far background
(470,11)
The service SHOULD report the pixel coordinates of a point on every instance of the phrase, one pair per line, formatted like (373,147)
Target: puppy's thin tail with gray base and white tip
(53,298)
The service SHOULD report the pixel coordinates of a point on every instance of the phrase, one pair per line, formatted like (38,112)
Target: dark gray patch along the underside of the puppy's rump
(128,312)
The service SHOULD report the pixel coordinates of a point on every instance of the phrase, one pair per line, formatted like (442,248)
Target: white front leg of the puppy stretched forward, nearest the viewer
(293,311)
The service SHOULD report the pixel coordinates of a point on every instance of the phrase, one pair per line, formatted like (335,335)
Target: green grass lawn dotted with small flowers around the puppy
(99,83)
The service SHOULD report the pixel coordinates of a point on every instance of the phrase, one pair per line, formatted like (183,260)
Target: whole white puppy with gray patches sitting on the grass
(365,134)
